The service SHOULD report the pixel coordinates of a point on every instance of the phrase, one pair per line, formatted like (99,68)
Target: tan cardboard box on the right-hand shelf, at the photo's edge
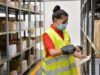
(97,34)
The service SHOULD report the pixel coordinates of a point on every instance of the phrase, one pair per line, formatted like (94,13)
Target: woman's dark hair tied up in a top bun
(57,12)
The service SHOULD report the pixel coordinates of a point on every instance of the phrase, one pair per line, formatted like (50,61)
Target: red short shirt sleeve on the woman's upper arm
(47,42)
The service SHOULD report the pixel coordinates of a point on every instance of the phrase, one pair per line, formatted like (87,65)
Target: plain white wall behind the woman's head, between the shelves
(73,9)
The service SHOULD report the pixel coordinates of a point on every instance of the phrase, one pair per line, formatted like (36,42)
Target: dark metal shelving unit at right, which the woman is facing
(88,17)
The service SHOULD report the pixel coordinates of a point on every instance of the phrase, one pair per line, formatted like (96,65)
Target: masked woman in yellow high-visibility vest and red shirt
(55,38)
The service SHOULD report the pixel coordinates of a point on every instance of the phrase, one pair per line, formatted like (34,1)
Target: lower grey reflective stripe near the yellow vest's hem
(59,70)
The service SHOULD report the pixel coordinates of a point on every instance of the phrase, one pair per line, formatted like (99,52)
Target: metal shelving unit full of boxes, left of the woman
(19,12)
